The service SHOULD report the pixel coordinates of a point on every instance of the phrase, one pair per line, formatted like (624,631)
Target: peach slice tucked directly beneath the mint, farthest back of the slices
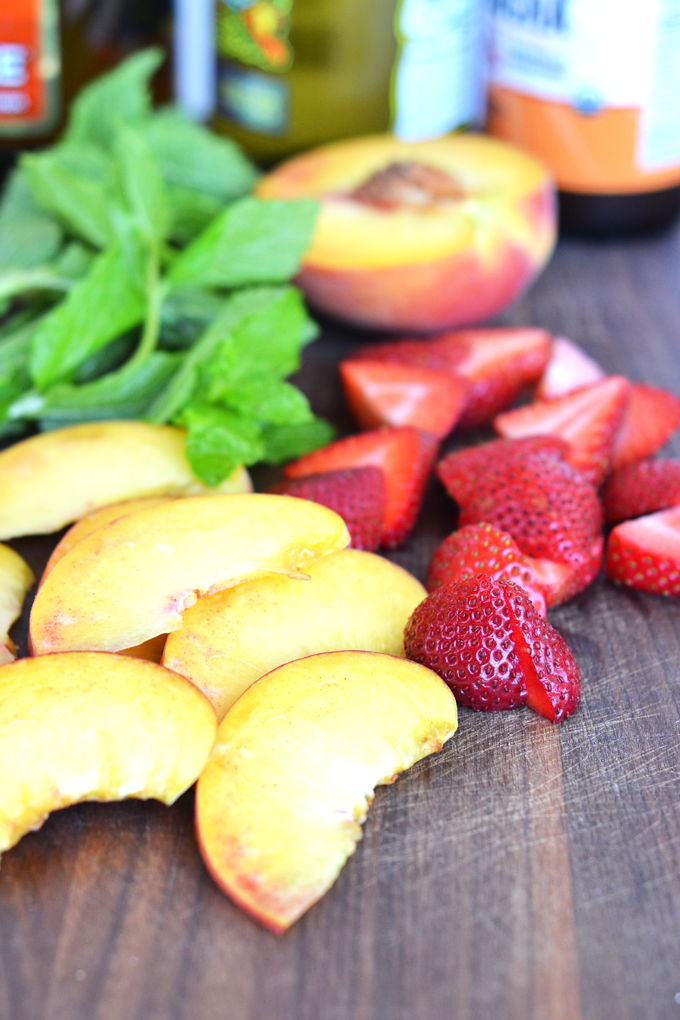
(51,480)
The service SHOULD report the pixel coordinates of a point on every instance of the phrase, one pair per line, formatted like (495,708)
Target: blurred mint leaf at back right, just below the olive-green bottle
(193,158)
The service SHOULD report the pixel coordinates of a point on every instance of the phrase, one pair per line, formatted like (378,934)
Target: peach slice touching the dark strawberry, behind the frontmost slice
(353,600)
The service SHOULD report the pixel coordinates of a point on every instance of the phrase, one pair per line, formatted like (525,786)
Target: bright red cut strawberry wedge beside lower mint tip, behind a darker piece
(405,455)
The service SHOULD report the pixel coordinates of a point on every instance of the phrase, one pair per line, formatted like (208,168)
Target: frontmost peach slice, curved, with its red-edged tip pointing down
(281,804)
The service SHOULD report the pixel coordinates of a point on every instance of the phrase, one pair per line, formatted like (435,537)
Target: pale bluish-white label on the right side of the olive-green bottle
(438,81)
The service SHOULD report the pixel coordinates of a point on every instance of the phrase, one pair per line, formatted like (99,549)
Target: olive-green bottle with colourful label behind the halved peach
(295,74)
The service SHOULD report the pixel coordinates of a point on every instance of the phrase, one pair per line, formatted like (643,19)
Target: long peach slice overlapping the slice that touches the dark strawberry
(133,579)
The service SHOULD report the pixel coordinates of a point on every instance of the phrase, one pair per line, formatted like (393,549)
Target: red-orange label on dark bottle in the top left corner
(30,68)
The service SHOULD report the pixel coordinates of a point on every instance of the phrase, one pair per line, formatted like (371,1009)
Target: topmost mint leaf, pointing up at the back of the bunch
(122,96)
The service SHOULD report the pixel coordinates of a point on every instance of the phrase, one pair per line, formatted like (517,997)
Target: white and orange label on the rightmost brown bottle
(593,87)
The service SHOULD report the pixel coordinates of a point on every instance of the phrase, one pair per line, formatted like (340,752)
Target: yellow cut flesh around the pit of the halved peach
(497,179)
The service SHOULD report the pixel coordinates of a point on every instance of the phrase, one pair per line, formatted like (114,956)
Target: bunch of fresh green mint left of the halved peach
(140,280)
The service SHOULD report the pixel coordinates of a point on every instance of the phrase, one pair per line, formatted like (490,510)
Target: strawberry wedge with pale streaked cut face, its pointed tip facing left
(588,419)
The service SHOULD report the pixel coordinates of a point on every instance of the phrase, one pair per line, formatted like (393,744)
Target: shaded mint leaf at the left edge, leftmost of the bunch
(29,237)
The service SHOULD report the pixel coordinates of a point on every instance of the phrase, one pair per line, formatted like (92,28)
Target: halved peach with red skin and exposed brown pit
(423,258)
